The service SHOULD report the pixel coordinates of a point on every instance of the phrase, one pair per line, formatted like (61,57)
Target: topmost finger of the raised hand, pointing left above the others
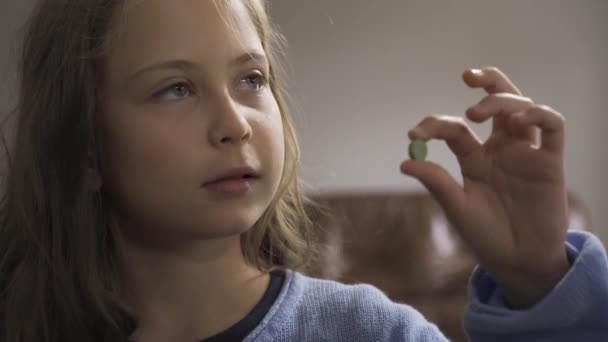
(491,79)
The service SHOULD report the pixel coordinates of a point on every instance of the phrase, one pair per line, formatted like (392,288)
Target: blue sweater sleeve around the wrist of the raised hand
(575,310)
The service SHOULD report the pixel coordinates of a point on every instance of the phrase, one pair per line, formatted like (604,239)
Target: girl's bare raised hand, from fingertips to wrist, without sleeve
(512,208)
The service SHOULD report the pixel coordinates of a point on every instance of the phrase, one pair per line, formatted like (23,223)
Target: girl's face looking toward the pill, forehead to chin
(186,101)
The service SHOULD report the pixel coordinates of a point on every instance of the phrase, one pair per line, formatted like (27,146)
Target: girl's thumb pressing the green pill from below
(446,191)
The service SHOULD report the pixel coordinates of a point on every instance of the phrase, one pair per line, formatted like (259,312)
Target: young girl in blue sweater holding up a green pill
(151,194)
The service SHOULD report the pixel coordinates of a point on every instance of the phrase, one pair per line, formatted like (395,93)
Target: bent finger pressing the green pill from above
(459,137)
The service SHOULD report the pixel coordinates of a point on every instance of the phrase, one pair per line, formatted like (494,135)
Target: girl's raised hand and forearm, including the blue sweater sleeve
(512,212)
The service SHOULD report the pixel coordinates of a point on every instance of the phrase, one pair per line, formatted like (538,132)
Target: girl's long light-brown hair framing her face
(58,278)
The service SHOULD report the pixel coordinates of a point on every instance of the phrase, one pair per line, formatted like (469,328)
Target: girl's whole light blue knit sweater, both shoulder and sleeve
(576,309)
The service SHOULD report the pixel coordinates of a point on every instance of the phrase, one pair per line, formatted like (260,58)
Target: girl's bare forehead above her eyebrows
(161,29)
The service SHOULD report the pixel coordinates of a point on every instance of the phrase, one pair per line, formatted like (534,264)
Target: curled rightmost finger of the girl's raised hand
(550,122)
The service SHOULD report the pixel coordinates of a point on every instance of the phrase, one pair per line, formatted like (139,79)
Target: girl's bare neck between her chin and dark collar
(189,294)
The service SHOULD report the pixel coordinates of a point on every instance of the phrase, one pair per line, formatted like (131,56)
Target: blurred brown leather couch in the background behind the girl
(403,244)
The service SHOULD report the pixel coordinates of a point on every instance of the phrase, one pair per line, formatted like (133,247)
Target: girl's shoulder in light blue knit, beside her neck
(311,309)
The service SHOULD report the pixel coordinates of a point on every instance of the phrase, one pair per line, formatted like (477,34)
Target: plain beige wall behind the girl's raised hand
(363,72)
